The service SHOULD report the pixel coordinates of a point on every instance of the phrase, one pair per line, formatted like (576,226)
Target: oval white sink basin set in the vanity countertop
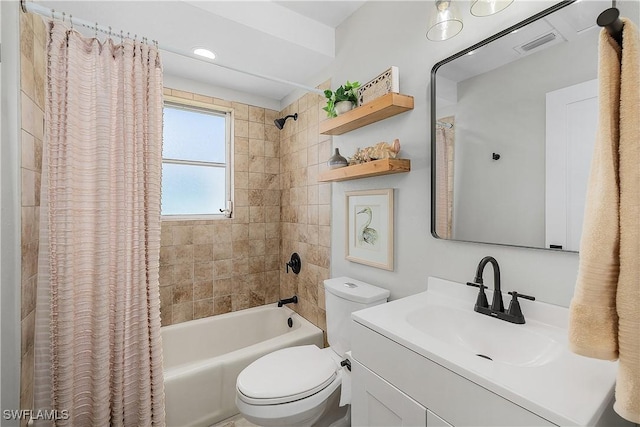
(485,337)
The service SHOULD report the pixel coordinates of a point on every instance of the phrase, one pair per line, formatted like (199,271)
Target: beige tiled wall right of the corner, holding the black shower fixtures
(305,206)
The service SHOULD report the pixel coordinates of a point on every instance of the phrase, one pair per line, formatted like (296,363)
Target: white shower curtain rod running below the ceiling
(50,13)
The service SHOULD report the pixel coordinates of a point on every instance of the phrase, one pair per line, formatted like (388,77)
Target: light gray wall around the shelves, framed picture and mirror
(381,34)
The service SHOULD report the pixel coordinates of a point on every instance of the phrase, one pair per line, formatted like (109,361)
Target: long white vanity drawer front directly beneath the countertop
(450,396)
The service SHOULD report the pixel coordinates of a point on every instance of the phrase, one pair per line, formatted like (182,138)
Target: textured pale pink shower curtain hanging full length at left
(98,345)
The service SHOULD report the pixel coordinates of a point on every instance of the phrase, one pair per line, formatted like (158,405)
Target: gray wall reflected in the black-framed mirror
(503,111)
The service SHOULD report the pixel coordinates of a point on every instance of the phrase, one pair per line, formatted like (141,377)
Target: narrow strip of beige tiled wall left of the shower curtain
(32,80)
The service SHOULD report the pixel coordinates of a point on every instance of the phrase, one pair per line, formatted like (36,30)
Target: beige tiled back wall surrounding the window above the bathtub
(216,266)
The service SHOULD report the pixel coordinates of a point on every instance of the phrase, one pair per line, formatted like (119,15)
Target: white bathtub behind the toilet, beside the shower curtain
(202,358)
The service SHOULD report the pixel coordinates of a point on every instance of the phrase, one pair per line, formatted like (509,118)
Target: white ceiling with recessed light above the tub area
(290,40)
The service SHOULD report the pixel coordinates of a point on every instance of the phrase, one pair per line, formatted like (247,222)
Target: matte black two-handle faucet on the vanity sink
(514,313)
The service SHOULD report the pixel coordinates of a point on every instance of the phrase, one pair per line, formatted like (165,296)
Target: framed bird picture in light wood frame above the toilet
(369,227)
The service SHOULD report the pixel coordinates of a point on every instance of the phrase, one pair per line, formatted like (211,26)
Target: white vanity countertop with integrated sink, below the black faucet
(528,364)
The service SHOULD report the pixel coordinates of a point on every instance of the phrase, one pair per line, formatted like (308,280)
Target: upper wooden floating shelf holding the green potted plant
(379,109)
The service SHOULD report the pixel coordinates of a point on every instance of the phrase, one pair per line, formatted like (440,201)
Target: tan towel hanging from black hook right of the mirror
(604,318)
